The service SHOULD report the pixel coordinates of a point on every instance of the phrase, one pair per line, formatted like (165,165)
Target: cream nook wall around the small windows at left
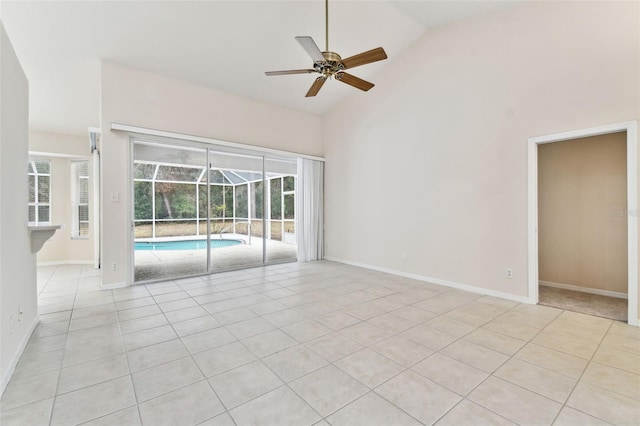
(62,150)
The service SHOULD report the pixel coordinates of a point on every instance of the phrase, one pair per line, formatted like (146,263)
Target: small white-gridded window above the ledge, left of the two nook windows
(39,191)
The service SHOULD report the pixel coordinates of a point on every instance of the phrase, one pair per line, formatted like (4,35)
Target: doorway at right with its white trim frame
(594,252)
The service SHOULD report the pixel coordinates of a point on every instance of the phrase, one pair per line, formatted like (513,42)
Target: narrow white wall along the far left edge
(17,264)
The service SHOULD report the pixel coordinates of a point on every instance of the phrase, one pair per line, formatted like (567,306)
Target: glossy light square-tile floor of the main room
(314,343)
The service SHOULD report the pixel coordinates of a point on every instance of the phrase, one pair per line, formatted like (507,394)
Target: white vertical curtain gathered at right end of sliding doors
(309,210)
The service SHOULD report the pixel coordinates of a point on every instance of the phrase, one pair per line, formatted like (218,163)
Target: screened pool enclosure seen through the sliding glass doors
(202,195)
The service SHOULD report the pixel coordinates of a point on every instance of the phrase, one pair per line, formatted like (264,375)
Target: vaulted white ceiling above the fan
(224,45)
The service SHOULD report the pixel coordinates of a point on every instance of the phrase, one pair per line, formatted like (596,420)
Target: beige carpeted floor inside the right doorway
(584,303)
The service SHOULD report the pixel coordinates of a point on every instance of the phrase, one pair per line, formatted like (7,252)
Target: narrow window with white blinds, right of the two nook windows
(80,199)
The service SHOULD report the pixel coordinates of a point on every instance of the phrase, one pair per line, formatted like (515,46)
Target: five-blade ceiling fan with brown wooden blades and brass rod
(330,65)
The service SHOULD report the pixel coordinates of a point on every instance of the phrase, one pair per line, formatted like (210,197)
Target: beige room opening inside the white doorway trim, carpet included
(582,228)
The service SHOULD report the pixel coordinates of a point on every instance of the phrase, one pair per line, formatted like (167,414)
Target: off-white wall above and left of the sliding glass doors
(143,99)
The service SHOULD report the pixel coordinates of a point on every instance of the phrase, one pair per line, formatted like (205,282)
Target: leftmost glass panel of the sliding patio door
(169,227)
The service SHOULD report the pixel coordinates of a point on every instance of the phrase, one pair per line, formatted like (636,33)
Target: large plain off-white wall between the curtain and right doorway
(432,162)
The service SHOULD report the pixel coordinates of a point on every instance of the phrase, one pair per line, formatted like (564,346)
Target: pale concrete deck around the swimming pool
(167,264)
